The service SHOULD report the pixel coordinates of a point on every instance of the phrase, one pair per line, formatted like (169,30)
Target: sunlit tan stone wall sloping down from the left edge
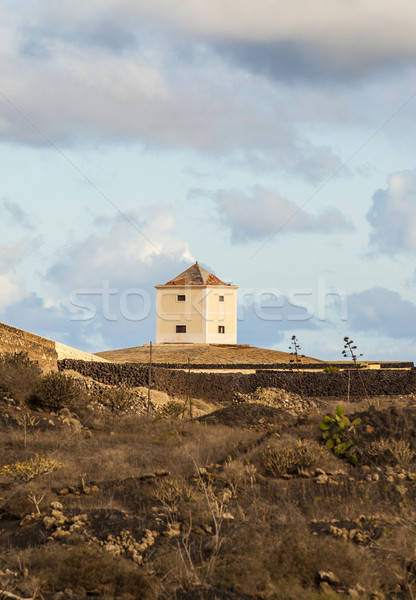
(38,348)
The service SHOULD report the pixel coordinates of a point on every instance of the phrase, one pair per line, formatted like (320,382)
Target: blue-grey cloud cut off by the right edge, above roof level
(392,215)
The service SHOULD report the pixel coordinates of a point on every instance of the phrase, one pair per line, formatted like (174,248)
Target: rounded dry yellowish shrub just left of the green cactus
(281,460)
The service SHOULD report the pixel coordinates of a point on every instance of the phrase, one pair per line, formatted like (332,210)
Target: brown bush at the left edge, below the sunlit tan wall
(18,375)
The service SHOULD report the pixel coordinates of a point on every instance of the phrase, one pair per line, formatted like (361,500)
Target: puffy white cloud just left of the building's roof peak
(129,252)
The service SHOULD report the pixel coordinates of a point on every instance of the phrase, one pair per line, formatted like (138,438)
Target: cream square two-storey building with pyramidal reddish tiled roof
(196,307)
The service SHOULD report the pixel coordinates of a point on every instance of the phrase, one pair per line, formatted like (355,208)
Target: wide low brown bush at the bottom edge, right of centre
(262,564)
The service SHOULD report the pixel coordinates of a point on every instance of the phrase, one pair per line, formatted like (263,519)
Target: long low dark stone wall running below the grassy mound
(222,386)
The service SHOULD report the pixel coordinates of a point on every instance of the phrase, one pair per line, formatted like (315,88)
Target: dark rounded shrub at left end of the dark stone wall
(55,391)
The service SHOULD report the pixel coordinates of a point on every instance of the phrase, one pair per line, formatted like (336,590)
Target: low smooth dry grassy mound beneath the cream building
(201,353)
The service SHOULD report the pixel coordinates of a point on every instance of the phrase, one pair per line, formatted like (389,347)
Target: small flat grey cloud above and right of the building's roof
(263,212)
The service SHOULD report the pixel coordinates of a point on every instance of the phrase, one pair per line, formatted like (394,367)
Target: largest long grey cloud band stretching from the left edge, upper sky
(72,95)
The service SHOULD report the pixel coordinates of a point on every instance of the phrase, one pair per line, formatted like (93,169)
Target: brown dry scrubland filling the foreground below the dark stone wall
(247,505)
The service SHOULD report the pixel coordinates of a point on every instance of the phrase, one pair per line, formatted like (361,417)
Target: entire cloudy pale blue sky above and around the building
(273,142)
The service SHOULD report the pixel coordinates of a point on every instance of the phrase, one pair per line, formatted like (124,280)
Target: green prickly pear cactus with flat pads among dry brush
(339,433)
